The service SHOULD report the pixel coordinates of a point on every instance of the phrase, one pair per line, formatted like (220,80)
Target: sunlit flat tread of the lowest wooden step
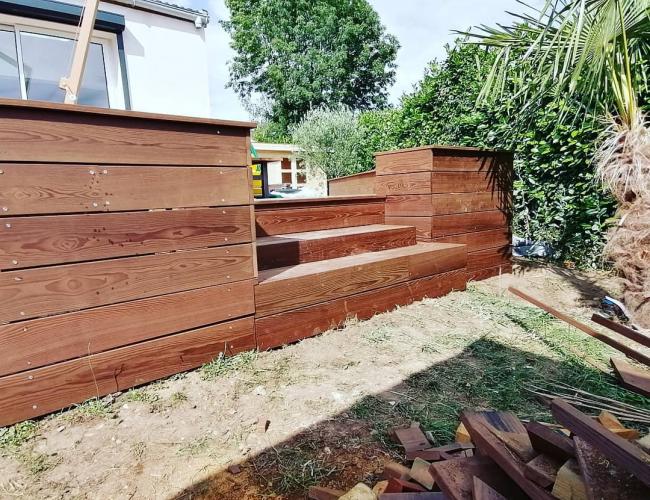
(309,268)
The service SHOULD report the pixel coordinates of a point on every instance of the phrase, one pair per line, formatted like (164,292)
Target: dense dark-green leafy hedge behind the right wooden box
(556,196)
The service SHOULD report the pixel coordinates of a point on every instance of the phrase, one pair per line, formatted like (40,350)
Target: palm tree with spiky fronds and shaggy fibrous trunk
(595,53)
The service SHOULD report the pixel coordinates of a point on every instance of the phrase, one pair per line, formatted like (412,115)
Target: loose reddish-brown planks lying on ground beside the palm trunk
(631,378)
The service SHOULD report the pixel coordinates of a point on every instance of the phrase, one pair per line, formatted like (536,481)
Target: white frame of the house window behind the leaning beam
(108,41)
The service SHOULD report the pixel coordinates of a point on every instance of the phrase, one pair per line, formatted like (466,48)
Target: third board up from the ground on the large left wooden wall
(41,291)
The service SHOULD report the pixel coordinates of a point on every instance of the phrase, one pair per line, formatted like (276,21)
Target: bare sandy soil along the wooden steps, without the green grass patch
(176,438)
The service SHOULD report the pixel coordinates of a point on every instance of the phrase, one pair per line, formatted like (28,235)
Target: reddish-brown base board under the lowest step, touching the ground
(291,326)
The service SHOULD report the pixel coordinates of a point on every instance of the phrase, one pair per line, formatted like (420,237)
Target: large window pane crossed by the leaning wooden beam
(47,58)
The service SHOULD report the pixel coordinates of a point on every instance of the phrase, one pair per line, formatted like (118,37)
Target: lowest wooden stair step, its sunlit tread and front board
(288,288)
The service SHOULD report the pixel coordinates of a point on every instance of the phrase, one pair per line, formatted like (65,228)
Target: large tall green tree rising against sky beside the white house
(296,55)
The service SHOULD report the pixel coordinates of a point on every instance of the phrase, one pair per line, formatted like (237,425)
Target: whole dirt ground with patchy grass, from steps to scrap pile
(329,400)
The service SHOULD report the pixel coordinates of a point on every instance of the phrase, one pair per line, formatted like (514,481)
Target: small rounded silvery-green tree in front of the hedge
(330,140)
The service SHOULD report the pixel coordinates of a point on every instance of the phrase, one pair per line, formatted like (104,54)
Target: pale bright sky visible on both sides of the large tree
(423,28)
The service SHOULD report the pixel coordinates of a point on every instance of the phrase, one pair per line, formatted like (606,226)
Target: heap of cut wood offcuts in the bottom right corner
(496,456)
